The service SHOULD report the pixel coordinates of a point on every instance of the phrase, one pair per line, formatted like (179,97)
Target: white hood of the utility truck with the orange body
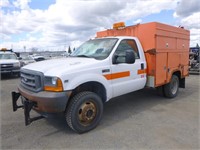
(56,67)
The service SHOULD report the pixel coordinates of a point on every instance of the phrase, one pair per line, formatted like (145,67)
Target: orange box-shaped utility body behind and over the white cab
(166,48)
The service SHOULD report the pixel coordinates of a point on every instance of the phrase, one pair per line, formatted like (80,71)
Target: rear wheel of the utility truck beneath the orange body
(172,88)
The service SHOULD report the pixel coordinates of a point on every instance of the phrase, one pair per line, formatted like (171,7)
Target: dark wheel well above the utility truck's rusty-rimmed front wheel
(92,86)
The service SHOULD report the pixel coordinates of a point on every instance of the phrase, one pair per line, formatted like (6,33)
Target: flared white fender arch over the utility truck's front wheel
(81,79)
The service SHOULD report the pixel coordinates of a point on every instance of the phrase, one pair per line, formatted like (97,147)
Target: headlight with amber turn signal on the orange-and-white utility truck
(53,84)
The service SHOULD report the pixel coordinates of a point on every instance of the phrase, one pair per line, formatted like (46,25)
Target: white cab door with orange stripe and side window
(127,77)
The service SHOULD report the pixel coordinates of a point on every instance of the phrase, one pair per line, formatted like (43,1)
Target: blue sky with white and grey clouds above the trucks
(57,24)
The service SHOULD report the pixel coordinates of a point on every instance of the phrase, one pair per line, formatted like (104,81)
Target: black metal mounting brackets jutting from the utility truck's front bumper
(27,106)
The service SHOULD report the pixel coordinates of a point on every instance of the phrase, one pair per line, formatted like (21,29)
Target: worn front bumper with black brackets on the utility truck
(42,102)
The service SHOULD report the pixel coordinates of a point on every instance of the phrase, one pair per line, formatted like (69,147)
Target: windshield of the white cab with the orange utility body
(97,48)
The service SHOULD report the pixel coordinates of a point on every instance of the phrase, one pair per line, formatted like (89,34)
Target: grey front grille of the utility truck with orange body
(31,80)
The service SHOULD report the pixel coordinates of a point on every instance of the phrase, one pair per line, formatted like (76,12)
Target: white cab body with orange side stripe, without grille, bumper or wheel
(94,62)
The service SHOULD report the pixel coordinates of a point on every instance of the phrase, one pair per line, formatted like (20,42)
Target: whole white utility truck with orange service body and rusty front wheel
(118,61)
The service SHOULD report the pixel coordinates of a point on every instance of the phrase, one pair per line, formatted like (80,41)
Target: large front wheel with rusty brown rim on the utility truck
(84,112)
